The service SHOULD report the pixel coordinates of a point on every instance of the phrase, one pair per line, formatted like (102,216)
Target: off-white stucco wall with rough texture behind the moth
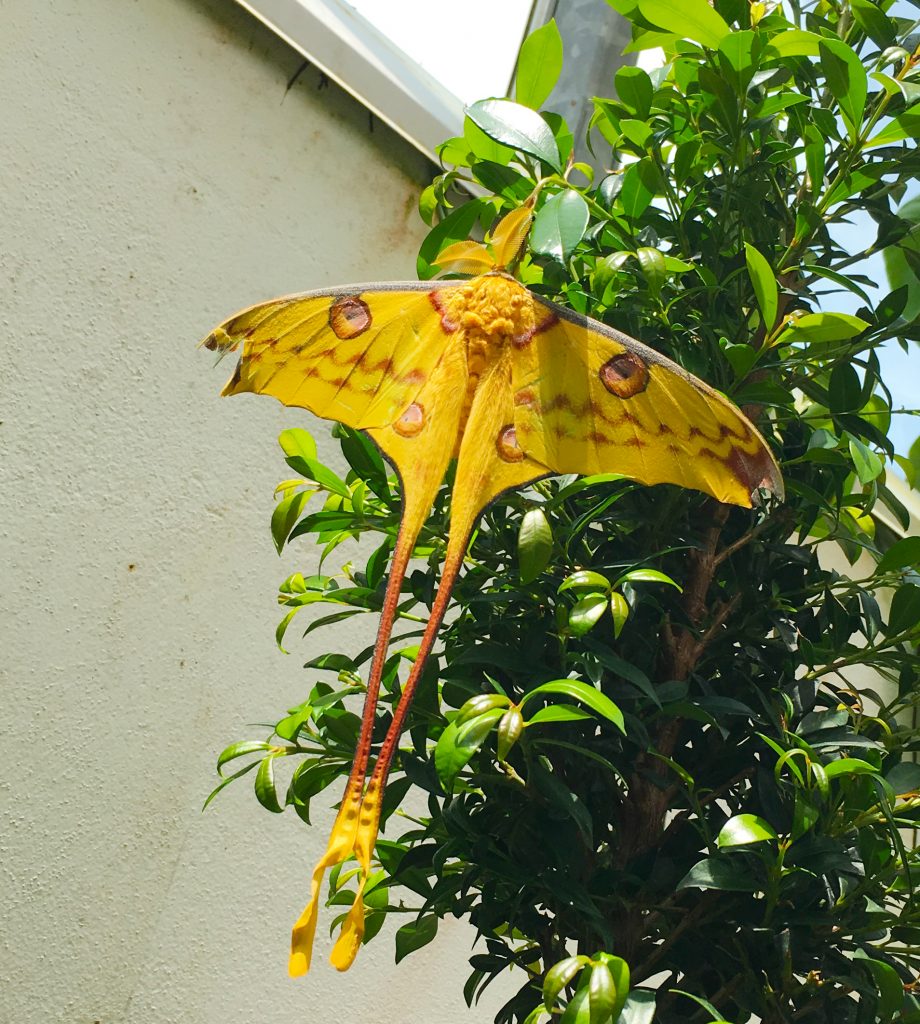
(156,178)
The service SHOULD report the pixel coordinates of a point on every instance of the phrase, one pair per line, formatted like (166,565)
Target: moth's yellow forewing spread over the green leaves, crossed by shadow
(590,400)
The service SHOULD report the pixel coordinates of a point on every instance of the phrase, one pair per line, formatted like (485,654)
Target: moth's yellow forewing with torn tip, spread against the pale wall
(359,355)
